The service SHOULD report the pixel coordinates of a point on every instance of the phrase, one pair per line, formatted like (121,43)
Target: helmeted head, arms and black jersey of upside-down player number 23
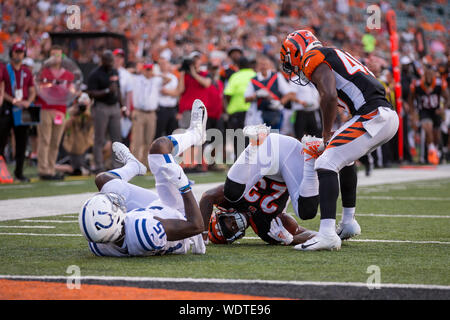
(259,209)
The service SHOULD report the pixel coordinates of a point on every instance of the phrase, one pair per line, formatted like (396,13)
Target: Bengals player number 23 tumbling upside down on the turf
(257,188)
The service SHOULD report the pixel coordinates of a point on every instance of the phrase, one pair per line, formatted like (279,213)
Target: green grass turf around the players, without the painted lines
(408,263)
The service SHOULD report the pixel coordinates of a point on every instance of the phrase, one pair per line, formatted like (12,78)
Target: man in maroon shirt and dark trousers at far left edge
(19,91)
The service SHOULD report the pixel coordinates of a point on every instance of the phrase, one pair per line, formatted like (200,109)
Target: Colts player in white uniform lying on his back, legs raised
(127,220)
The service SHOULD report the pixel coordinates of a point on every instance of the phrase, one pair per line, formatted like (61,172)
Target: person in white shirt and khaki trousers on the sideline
(146,92)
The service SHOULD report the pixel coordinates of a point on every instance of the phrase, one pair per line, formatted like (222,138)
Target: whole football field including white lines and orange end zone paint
(402,253)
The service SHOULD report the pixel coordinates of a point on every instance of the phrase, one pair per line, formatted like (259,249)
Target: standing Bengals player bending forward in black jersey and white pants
(341,81)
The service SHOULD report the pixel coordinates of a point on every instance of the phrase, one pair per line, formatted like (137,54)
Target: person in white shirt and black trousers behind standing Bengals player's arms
(306,106)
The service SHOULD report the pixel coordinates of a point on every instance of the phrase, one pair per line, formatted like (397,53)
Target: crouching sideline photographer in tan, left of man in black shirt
(78,133)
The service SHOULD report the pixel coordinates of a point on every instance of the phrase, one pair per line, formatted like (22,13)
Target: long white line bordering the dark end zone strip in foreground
(214,280)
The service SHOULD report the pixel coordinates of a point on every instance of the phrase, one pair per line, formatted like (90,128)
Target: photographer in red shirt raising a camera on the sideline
(193,85)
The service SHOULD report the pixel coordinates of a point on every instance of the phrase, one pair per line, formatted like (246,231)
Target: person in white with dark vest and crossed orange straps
(268,91)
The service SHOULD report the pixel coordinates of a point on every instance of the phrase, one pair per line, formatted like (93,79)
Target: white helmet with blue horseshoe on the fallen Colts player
(101,217)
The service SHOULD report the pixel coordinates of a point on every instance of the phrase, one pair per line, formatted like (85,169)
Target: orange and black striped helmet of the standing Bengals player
(293,48)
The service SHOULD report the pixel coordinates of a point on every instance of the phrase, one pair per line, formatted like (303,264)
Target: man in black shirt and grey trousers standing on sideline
(104,88)
